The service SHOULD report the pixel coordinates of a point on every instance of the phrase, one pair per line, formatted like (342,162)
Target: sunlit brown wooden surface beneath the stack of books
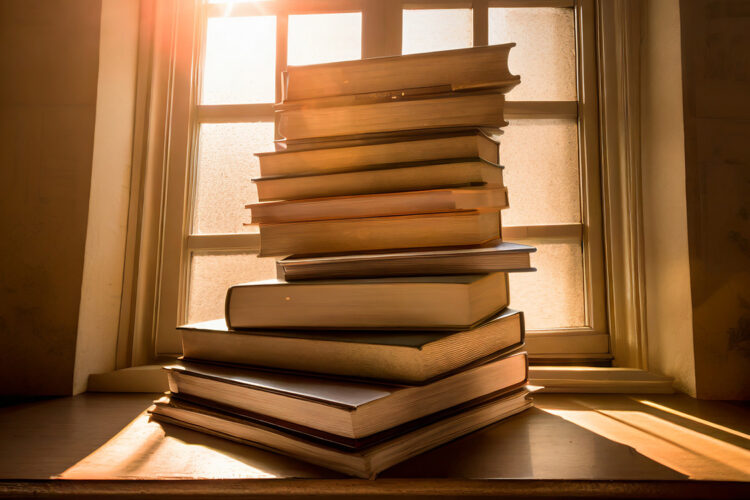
(651,446)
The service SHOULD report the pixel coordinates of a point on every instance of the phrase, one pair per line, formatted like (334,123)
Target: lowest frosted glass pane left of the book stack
(212,273)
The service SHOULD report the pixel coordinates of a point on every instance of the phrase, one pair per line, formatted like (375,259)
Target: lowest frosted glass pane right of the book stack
(551,297)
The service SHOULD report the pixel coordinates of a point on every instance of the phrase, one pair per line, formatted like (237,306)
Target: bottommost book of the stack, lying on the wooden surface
(365,462)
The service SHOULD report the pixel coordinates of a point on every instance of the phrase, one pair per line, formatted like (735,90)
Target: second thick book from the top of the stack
(477,109)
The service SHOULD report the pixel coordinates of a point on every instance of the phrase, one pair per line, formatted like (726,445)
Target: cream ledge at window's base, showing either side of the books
(562,379)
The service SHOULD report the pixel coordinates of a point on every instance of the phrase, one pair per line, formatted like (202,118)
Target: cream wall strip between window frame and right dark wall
(668,292)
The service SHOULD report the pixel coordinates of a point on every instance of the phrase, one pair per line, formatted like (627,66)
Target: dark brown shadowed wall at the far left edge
(49,54)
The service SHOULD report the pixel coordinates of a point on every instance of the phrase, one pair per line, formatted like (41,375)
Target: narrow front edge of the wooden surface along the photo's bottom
(378,489)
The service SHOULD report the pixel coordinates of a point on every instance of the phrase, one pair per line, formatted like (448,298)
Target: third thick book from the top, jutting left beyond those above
(459,145)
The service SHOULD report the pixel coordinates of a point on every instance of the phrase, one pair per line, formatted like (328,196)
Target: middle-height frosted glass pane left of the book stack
(225,166)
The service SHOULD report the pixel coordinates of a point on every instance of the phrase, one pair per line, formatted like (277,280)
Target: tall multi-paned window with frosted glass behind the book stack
(227,60)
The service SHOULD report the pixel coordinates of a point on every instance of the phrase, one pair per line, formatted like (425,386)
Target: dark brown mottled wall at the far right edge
(716,93)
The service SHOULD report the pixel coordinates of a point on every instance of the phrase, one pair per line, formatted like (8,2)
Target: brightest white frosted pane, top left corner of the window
(240,60)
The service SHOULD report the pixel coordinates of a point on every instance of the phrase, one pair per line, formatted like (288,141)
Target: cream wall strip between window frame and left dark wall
(110,188)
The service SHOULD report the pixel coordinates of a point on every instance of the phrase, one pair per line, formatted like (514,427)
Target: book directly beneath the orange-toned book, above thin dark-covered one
(470,227)
